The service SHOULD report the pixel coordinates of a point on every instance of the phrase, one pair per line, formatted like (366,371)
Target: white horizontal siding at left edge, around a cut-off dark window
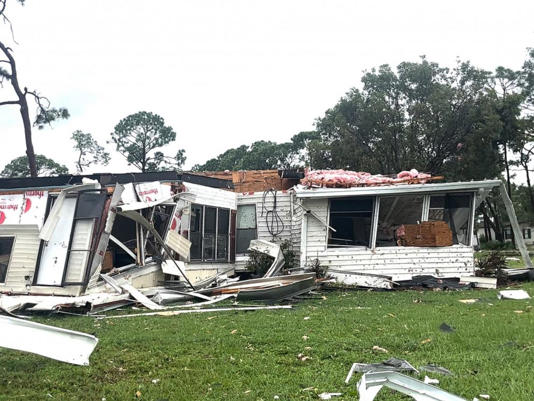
(23,256)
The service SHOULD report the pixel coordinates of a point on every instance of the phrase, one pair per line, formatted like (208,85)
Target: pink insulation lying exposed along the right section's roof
(346,178)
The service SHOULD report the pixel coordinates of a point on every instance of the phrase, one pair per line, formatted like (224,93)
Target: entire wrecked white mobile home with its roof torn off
(88,236)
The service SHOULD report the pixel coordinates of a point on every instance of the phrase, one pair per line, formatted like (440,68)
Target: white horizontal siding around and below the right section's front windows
(399,262)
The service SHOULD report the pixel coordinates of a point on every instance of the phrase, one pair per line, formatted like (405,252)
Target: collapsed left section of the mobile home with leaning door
(56,238)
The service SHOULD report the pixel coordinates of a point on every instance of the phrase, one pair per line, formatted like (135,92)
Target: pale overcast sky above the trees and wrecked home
(227,73)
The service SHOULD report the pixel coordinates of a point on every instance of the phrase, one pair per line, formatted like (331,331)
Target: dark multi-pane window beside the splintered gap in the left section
(209,234)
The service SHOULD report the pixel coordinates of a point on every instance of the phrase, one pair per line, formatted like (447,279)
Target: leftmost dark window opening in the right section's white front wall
(352,220)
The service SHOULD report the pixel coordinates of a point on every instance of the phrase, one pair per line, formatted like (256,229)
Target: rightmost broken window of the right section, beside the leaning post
(455,210)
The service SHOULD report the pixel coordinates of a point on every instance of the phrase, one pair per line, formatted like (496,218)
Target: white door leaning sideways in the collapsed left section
(54,253)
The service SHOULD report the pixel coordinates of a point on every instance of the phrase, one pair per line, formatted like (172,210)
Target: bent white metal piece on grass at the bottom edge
(372,382)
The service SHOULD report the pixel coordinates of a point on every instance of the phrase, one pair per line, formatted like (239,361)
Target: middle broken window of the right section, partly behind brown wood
(394,212)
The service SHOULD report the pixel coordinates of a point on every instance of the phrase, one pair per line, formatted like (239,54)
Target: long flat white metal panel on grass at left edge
(52,342)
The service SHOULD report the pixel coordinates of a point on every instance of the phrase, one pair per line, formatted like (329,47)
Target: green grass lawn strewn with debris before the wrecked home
(254,355)
